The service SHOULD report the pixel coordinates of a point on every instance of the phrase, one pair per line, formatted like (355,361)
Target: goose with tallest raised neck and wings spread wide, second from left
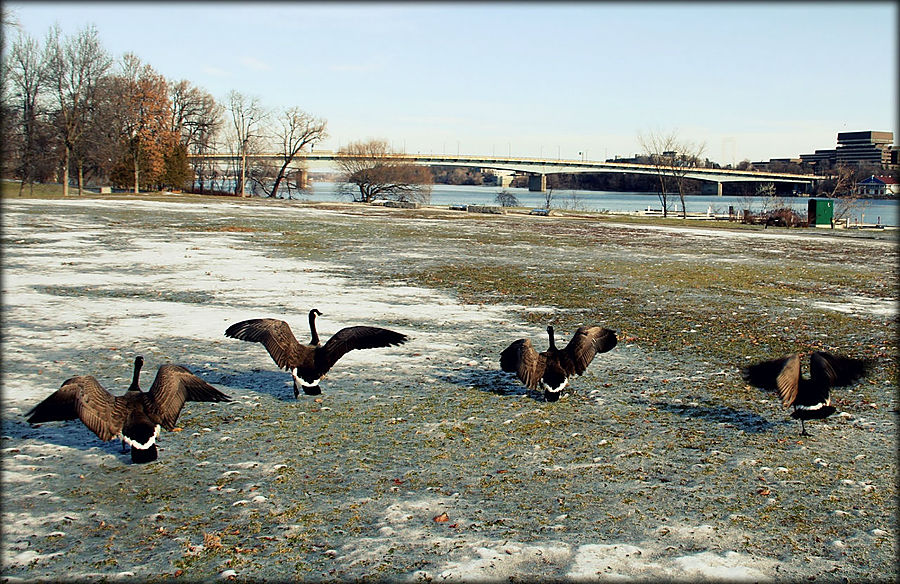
(310,362)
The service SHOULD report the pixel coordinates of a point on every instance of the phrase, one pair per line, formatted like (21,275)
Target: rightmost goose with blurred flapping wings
(810,397)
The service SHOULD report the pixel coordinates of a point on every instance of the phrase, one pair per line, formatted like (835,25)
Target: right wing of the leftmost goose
(173,386)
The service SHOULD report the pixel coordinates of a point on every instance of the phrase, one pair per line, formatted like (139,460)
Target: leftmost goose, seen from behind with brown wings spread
(136,416)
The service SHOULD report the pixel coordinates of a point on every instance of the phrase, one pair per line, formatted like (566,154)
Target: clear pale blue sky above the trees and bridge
(747,80)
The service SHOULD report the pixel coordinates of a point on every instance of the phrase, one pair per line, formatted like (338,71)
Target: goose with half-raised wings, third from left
(552,369)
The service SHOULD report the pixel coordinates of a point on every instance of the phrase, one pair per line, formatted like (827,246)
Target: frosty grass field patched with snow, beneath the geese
(424,461)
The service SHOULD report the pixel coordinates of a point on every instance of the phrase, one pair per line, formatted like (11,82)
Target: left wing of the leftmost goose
(84,398)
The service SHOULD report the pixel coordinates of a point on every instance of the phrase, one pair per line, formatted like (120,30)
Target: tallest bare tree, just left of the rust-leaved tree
(75,67)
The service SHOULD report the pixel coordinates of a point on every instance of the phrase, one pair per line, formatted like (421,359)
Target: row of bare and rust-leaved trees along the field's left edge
(73,114)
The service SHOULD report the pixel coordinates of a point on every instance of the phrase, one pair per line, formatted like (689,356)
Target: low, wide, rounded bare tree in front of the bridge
(375,173)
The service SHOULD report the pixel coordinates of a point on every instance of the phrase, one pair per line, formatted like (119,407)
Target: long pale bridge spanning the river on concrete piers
(536,168)
